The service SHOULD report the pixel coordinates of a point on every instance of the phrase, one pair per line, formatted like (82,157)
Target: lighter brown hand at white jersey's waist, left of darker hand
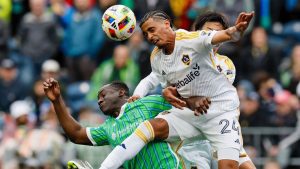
(171,95)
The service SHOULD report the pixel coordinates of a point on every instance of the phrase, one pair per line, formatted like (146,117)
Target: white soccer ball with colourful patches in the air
(118,22)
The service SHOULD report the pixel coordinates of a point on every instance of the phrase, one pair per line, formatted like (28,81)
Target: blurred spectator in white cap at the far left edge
(14,134)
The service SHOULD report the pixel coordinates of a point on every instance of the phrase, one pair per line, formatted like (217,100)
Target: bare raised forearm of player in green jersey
(72,128)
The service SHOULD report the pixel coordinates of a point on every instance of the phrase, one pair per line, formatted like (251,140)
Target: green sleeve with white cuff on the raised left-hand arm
(97,135)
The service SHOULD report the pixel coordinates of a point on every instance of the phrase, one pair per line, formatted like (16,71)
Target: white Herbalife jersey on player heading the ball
(192,69)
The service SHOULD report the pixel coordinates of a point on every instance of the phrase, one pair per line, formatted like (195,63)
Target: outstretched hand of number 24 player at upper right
(243,20)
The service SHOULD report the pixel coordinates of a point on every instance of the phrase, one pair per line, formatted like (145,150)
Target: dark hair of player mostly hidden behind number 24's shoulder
(210,17)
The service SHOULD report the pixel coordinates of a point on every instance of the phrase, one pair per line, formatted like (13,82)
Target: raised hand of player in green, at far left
(51,89)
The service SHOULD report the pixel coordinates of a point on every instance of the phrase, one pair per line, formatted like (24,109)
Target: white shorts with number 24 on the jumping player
(222,131)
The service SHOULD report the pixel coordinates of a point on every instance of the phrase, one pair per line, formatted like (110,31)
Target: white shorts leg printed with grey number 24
(223,132)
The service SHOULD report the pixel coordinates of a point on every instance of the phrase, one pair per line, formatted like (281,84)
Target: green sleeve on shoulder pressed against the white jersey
(156,104)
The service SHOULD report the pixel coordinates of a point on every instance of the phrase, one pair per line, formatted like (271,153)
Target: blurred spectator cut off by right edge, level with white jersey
(290,73)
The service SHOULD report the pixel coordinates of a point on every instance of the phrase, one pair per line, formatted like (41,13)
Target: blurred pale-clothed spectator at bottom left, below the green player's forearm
(48,154)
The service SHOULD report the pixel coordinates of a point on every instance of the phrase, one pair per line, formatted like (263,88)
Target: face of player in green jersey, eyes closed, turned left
(107,99)
